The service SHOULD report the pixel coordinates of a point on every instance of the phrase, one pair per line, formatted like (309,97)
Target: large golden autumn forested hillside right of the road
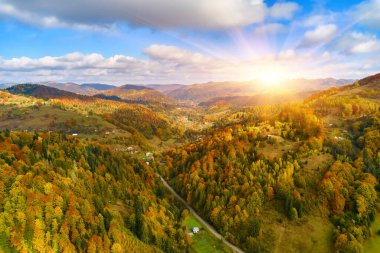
(310,168)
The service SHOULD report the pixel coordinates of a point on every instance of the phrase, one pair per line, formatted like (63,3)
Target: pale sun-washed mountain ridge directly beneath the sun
(206,91)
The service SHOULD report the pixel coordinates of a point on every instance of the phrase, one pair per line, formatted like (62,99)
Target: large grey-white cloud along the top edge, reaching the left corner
(211,14)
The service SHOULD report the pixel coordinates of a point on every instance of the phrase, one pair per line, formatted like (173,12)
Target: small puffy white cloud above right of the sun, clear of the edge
(321,34)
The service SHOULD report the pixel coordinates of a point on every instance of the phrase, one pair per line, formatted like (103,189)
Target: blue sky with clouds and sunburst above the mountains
(186,41)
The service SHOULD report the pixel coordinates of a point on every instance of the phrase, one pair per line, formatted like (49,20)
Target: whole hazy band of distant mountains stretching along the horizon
(211,93)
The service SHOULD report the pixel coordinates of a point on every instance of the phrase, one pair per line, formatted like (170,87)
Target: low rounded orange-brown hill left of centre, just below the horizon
(135,94)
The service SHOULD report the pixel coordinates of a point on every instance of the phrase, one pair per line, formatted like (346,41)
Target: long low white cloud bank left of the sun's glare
(165,64)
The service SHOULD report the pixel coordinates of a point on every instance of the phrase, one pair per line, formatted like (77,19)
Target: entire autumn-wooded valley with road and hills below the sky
(289,175)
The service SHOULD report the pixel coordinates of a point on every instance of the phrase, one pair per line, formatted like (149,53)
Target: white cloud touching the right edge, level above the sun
(358,43)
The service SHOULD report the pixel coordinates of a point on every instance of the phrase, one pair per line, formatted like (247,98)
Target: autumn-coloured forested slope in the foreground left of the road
(60,194)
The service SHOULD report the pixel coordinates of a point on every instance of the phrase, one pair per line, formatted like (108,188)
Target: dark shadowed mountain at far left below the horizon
(44,92)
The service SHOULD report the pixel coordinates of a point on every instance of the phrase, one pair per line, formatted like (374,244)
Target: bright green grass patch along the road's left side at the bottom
(203,241)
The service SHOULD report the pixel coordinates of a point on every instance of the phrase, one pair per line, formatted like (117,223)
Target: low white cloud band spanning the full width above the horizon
(170,64)
